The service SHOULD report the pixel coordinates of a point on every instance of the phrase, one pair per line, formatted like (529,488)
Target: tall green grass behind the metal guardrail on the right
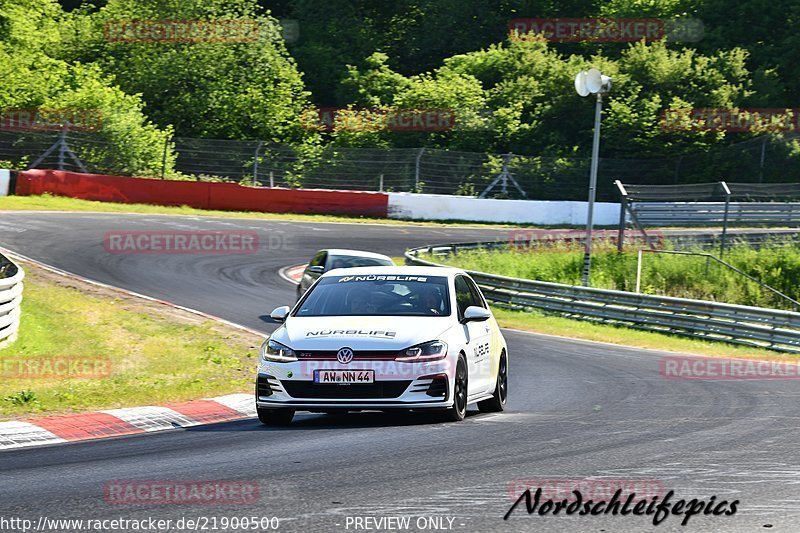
(672,275)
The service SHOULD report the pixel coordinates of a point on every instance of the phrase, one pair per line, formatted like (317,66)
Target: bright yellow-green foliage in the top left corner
(33,33)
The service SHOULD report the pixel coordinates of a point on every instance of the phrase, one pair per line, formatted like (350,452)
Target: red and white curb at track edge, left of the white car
(126,421)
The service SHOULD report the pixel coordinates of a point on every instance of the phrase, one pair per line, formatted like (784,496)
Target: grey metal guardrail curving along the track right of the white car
(739,324)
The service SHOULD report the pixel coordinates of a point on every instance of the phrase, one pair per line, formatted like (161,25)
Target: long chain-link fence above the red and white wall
(766,159)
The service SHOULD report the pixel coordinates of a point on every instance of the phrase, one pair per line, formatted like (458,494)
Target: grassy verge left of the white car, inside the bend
(155,354)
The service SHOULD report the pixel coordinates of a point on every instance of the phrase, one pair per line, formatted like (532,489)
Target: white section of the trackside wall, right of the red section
(444,207)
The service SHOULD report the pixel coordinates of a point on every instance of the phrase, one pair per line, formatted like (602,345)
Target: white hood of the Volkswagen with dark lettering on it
(359,332)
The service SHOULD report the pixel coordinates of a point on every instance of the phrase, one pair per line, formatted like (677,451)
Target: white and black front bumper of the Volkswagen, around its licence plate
(396,386)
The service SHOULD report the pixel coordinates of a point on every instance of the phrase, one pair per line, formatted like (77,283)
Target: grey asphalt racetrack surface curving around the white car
(577,410)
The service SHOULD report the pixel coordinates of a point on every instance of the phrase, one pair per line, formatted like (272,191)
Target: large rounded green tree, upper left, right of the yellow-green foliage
(234,87)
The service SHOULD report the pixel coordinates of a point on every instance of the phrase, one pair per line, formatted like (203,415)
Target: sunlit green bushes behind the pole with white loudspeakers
(518,97)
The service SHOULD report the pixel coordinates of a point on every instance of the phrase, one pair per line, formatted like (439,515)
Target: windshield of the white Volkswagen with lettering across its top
(377,295)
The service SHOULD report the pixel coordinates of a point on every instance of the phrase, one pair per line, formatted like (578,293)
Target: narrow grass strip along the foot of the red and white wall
(60,203)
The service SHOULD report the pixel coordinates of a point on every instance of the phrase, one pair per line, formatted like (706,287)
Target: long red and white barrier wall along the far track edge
(234,197)
